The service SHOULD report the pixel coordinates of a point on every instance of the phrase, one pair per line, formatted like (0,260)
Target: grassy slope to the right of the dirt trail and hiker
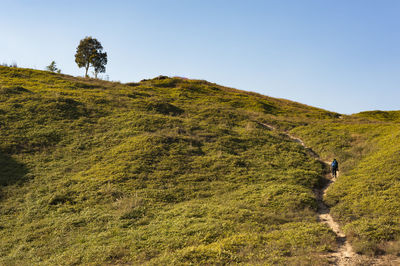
(365,198)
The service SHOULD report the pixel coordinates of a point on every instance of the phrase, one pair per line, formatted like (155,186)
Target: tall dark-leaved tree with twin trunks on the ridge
(89,53)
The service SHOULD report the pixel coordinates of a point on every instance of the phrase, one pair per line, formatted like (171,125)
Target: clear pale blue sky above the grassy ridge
(341,55)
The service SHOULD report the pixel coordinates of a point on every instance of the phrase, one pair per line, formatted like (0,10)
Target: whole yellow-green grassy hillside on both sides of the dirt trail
(176,171)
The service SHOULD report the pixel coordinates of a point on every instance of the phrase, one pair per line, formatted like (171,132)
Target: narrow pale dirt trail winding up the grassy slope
(345,254)
